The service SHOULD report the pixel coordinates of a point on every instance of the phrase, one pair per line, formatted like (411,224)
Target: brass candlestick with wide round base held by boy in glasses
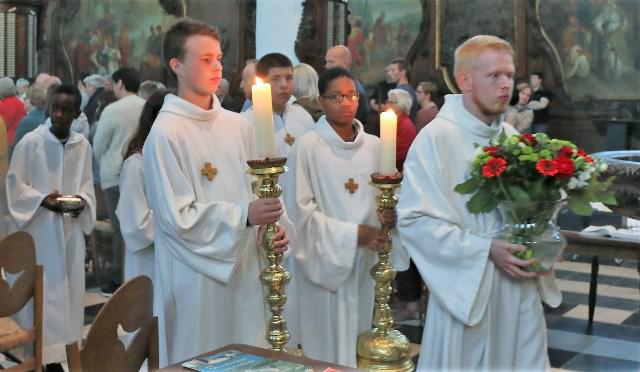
(384,348)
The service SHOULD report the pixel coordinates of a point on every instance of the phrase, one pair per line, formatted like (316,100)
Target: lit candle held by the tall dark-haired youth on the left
(265,136)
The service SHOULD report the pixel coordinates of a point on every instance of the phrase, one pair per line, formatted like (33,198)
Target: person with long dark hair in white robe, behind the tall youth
(134,214)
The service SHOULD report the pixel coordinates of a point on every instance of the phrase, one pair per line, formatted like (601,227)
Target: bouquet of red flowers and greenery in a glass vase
(529,175)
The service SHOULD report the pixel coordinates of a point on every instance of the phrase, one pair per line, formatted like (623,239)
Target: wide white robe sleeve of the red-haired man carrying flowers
(429,227)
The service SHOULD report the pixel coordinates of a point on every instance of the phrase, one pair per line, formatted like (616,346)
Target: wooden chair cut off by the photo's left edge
(18,257)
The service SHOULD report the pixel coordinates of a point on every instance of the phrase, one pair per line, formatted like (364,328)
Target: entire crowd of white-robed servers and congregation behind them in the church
(171,169)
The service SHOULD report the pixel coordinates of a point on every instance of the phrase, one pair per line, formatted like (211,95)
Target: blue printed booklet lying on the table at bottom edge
(232,360)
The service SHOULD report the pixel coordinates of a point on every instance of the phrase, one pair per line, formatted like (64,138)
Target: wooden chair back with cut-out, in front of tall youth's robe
(130,307)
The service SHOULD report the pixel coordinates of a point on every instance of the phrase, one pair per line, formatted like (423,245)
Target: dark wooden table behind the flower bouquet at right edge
(600,246)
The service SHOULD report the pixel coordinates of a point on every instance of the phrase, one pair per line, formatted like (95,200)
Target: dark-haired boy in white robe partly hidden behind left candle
(290,121)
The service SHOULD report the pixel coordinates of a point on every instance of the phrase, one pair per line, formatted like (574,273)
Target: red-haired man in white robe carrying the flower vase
(489,317)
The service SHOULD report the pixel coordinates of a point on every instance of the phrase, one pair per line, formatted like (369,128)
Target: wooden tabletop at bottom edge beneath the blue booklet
(317,365)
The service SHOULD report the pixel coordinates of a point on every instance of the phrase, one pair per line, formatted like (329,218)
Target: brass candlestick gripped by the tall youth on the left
(275,277)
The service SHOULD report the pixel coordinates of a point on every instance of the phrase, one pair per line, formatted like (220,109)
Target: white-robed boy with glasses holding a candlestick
(333,207)
